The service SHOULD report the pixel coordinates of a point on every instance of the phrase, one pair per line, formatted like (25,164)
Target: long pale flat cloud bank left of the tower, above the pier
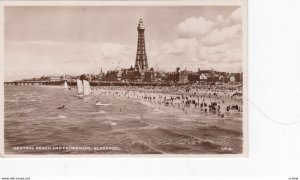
(63,57)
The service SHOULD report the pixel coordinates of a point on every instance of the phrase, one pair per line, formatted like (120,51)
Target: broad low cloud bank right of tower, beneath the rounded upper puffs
(192,54)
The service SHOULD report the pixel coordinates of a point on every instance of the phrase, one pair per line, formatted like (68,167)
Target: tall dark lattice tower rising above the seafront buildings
(141,57)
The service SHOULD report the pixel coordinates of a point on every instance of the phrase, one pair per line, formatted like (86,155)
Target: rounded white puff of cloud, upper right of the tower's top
(194,26)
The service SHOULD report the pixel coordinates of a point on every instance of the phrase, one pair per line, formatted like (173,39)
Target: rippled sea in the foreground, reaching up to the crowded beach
(33,124)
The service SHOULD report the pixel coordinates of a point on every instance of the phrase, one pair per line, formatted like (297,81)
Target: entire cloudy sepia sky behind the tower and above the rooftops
(75,40)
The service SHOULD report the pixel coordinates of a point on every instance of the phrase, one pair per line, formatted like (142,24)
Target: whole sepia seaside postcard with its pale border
(129,78)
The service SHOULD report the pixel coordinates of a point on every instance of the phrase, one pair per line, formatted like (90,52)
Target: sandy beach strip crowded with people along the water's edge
(205,99)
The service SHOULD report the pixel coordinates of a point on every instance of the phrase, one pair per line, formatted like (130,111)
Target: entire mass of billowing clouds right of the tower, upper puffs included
(206,44)
